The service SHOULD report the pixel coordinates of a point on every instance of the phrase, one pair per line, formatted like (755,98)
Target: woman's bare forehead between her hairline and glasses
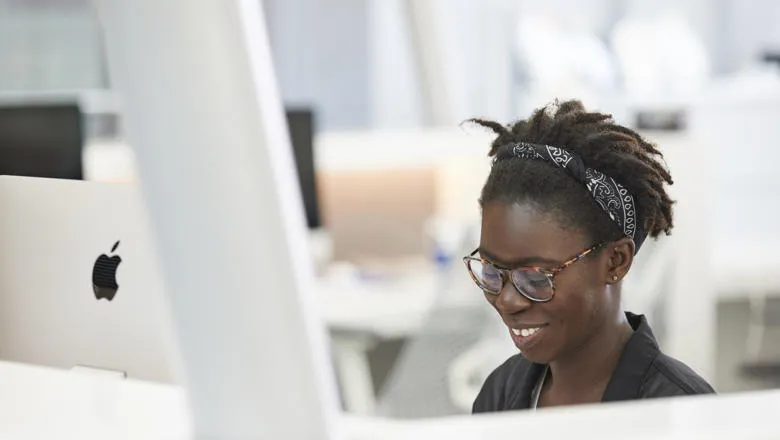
(518,232)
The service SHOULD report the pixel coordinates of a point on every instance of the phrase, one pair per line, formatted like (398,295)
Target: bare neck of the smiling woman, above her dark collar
(584,375)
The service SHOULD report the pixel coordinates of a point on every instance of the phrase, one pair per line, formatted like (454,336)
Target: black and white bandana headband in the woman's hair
(611,196)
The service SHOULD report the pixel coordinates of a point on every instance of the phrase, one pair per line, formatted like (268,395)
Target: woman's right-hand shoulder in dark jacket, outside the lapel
(668,377)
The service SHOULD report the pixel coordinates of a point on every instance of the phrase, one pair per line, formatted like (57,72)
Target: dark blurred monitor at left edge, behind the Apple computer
(41,140)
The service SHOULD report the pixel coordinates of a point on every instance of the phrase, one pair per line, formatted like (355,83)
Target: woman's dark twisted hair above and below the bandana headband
(604,145)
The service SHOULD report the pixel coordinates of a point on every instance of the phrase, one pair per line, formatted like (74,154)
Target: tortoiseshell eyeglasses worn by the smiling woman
(534,283)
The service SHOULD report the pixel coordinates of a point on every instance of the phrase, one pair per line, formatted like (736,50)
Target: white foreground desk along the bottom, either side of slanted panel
(39,402)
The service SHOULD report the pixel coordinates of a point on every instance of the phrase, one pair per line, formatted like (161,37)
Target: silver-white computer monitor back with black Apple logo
(52,232)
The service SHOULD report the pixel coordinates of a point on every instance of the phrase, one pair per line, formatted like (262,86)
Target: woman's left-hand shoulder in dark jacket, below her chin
(503,386)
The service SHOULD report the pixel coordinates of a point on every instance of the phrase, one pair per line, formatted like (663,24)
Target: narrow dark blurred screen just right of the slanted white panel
(301,124)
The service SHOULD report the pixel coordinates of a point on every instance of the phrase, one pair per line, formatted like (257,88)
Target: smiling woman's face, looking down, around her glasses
(516,235)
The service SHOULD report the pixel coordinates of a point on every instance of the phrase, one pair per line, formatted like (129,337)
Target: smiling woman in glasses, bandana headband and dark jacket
(569,200)
